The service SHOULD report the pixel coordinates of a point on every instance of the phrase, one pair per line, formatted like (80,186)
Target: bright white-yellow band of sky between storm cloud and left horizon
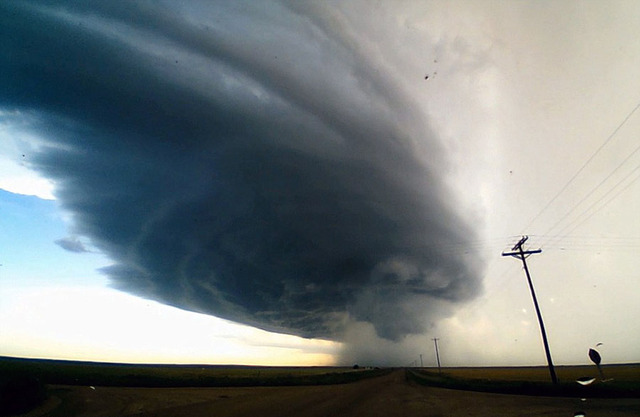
(49,323)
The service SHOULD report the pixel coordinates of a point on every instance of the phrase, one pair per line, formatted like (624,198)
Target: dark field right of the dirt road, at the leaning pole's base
(621,380)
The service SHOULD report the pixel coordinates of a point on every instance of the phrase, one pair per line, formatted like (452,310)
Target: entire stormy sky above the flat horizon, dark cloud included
(342,176)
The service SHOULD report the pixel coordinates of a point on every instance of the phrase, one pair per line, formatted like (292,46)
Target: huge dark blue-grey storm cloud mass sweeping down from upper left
(245,159)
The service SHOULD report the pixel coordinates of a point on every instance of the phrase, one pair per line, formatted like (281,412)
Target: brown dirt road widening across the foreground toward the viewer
(390,395)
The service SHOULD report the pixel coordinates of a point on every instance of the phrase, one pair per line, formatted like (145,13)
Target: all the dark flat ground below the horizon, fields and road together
(284,391)
